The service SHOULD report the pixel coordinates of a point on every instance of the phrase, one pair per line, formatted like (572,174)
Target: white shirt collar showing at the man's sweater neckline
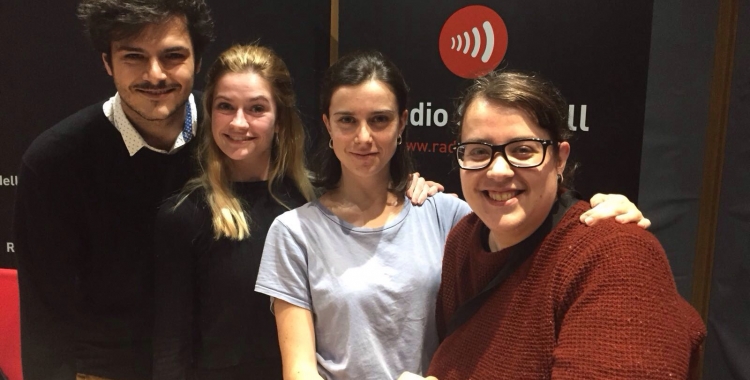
(133,140)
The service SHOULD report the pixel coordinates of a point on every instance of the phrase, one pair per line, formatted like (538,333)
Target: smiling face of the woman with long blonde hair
(243,123)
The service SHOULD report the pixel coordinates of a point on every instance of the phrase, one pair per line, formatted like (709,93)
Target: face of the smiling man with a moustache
(153,71)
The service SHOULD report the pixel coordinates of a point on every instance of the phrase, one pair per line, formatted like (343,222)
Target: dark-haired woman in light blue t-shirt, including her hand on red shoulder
(354,274)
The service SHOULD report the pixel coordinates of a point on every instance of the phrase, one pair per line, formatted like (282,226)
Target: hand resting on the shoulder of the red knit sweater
(605,206)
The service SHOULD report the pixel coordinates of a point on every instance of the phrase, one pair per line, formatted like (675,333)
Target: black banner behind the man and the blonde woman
(49,70)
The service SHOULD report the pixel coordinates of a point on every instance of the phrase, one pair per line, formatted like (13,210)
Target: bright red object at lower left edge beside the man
(10,325)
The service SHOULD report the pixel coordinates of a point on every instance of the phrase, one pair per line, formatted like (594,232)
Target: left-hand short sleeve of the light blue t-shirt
(283,270)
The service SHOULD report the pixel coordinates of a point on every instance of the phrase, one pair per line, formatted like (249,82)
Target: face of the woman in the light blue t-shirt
(364,124)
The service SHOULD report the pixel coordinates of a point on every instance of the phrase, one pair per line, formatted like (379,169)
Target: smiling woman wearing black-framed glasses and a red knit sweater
(529,292)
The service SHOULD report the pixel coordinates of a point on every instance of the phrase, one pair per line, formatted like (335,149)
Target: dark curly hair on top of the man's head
(106,21)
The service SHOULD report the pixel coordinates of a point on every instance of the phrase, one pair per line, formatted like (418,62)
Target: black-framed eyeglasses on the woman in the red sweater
(525,153)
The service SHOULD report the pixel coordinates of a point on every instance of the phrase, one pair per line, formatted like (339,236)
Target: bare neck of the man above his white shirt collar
(159,134)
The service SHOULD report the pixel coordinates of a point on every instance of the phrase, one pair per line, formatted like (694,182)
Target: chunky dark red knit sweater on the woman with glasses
(592,302)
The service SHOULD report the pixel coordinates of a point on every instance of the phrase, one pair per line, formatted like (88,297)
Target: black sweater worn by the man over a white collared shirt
(84,219)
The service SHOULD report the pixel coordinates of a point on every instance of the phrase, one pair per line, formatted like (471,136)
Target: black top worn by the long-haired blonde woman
(210,323)
